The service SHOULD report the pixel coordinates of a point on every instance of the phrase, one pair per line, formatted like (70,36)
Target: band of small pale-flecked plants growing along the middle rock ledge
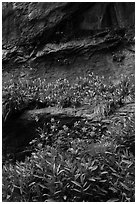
(91,90)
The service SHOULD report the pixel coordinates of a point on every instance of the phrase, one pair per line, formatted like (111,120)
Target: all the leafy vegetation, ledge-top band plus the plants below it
(82,161)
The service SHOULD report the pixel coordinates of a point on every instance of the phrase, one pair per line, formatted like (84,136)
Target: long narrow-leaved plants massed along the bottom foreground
(48,174)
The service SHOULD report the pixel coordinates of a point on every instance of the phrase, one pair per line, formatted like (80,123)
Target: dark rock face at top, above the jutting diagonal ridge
(35,23)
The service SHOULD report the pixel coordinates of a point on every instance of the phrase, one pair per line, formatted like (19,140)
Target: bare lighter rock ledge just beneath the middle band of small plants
(86,112)
